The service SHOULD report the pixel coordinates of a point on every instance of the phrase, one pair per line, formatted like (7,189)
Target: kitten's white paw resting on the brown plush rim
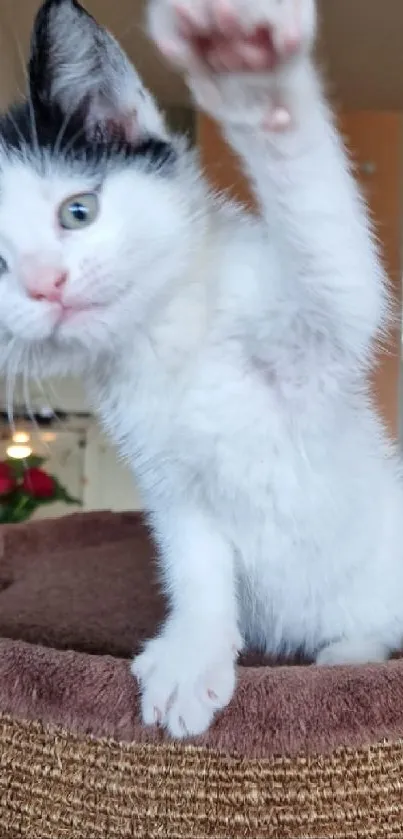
(184,681)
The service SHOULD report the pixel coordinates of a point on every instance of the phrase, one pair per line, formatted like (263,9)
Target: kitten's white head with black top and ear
(93,209)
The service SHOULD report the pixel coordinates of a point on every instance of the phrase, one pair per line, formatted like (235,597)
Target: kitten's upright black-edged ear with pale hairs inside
(77,66)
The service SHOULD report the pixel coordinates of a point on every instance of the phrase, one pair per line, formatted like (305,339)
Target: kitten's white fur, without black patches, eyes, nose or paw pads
(228,361)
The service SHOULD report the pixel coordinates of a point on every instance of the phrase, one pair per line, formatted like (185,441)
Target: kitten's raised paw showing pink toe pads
(232,35)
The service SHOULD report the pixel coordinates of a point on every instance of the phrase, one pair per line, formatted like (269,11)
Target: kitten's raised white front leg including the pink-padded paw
(249,64)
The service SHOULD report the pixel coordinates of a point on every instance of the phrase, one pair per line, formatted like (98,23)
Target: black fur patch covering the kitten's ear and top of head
(74,131)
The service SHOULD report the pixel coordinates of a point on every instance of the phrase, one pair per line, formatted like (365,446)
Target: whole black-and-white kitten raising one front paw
(225,354)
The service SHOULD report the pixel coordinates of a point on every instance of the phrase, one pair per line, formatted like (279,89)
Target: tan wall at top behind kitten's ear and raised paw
(362,46)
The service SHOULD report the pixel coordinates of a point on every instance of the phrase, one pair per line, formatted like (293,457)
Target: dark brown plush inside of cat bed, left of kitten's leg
(86,582)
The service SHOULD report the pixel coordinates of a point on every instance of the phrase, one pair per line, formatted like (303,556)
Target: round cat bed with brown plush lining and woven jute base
(301,752)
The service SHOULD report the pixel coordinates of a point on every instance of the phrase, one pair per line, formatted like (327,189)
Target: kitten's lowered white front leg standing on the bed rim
(187,673)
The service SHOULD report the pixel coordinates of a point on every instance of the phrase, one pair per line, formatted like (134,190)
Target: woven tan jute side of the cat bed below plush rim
(54,785)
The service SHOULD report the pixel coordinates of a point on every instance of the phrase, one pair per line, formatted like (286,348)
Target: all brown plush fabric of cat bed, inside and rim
(77,597)
